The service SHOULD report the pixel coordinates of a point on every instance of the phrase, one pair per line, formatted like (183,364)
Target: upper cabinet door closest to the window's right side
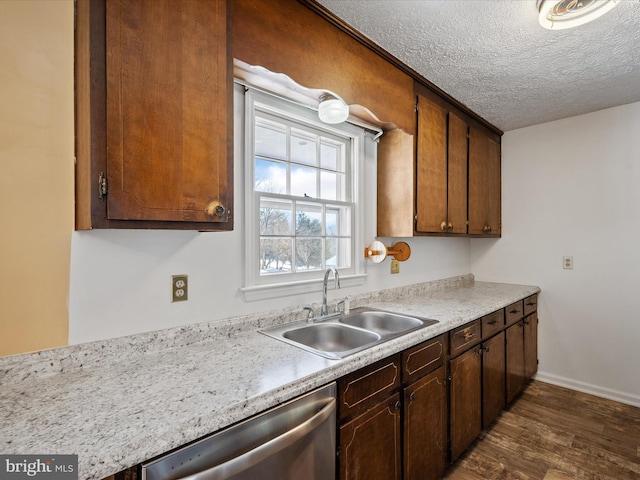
(431,167)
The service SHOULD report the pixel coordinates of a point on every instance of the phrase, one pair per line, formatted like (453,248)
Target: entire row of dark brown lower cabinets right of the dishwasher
(408,415)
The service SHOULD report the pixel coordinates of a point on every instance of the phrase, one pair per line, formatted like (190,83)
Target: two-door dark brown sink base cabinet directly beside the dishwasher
(393,417)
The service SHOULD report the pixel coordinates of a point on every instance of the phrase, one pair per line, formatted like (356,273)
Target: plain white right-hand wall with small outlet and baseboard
(572,188)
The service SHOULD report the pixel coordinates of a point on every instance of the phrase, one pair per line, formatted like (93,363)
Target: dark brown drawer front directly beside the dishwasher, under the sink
(367,386)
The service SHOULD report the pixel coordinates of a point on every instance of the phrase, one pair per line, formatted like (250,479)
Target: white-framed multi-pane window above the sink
(303,206)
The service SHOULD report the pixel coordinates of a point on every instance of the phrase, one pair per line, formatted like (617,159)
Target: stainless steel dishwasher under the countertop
(293,441)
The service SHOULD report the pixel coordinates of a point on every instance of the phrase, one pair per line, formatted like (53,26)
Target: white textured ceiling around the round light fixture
(492,55)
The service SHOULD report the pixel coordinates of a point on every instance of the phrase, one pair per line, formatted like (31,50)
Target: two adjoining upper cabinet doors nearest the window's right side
(441,170)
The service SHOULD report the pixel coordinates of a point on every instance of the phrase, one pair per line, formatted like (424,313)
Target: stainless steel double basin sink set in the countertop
(337,336)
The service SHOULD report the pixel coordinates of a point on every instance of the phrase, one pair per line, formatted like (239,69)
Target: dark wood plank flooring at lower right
(553,433)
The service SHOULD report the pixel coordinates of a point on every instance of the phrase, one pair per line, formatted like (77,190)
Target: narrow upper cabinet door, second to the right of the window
(457,176)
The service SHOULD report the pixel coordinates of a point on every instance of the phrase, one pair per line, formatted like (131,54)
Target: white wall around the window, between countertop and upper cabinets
(120,280)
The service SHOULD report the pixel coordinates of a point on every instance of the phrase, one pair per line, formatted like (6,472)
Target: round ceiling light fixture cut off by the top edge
(561,14)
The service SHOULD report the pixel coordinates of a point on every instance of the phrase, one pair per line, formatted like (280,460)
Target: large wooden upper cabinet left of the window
(154,90)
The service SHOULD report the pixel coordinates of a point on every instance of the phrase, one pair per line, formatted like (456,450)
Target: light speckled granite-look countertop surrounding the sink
(119,402)
